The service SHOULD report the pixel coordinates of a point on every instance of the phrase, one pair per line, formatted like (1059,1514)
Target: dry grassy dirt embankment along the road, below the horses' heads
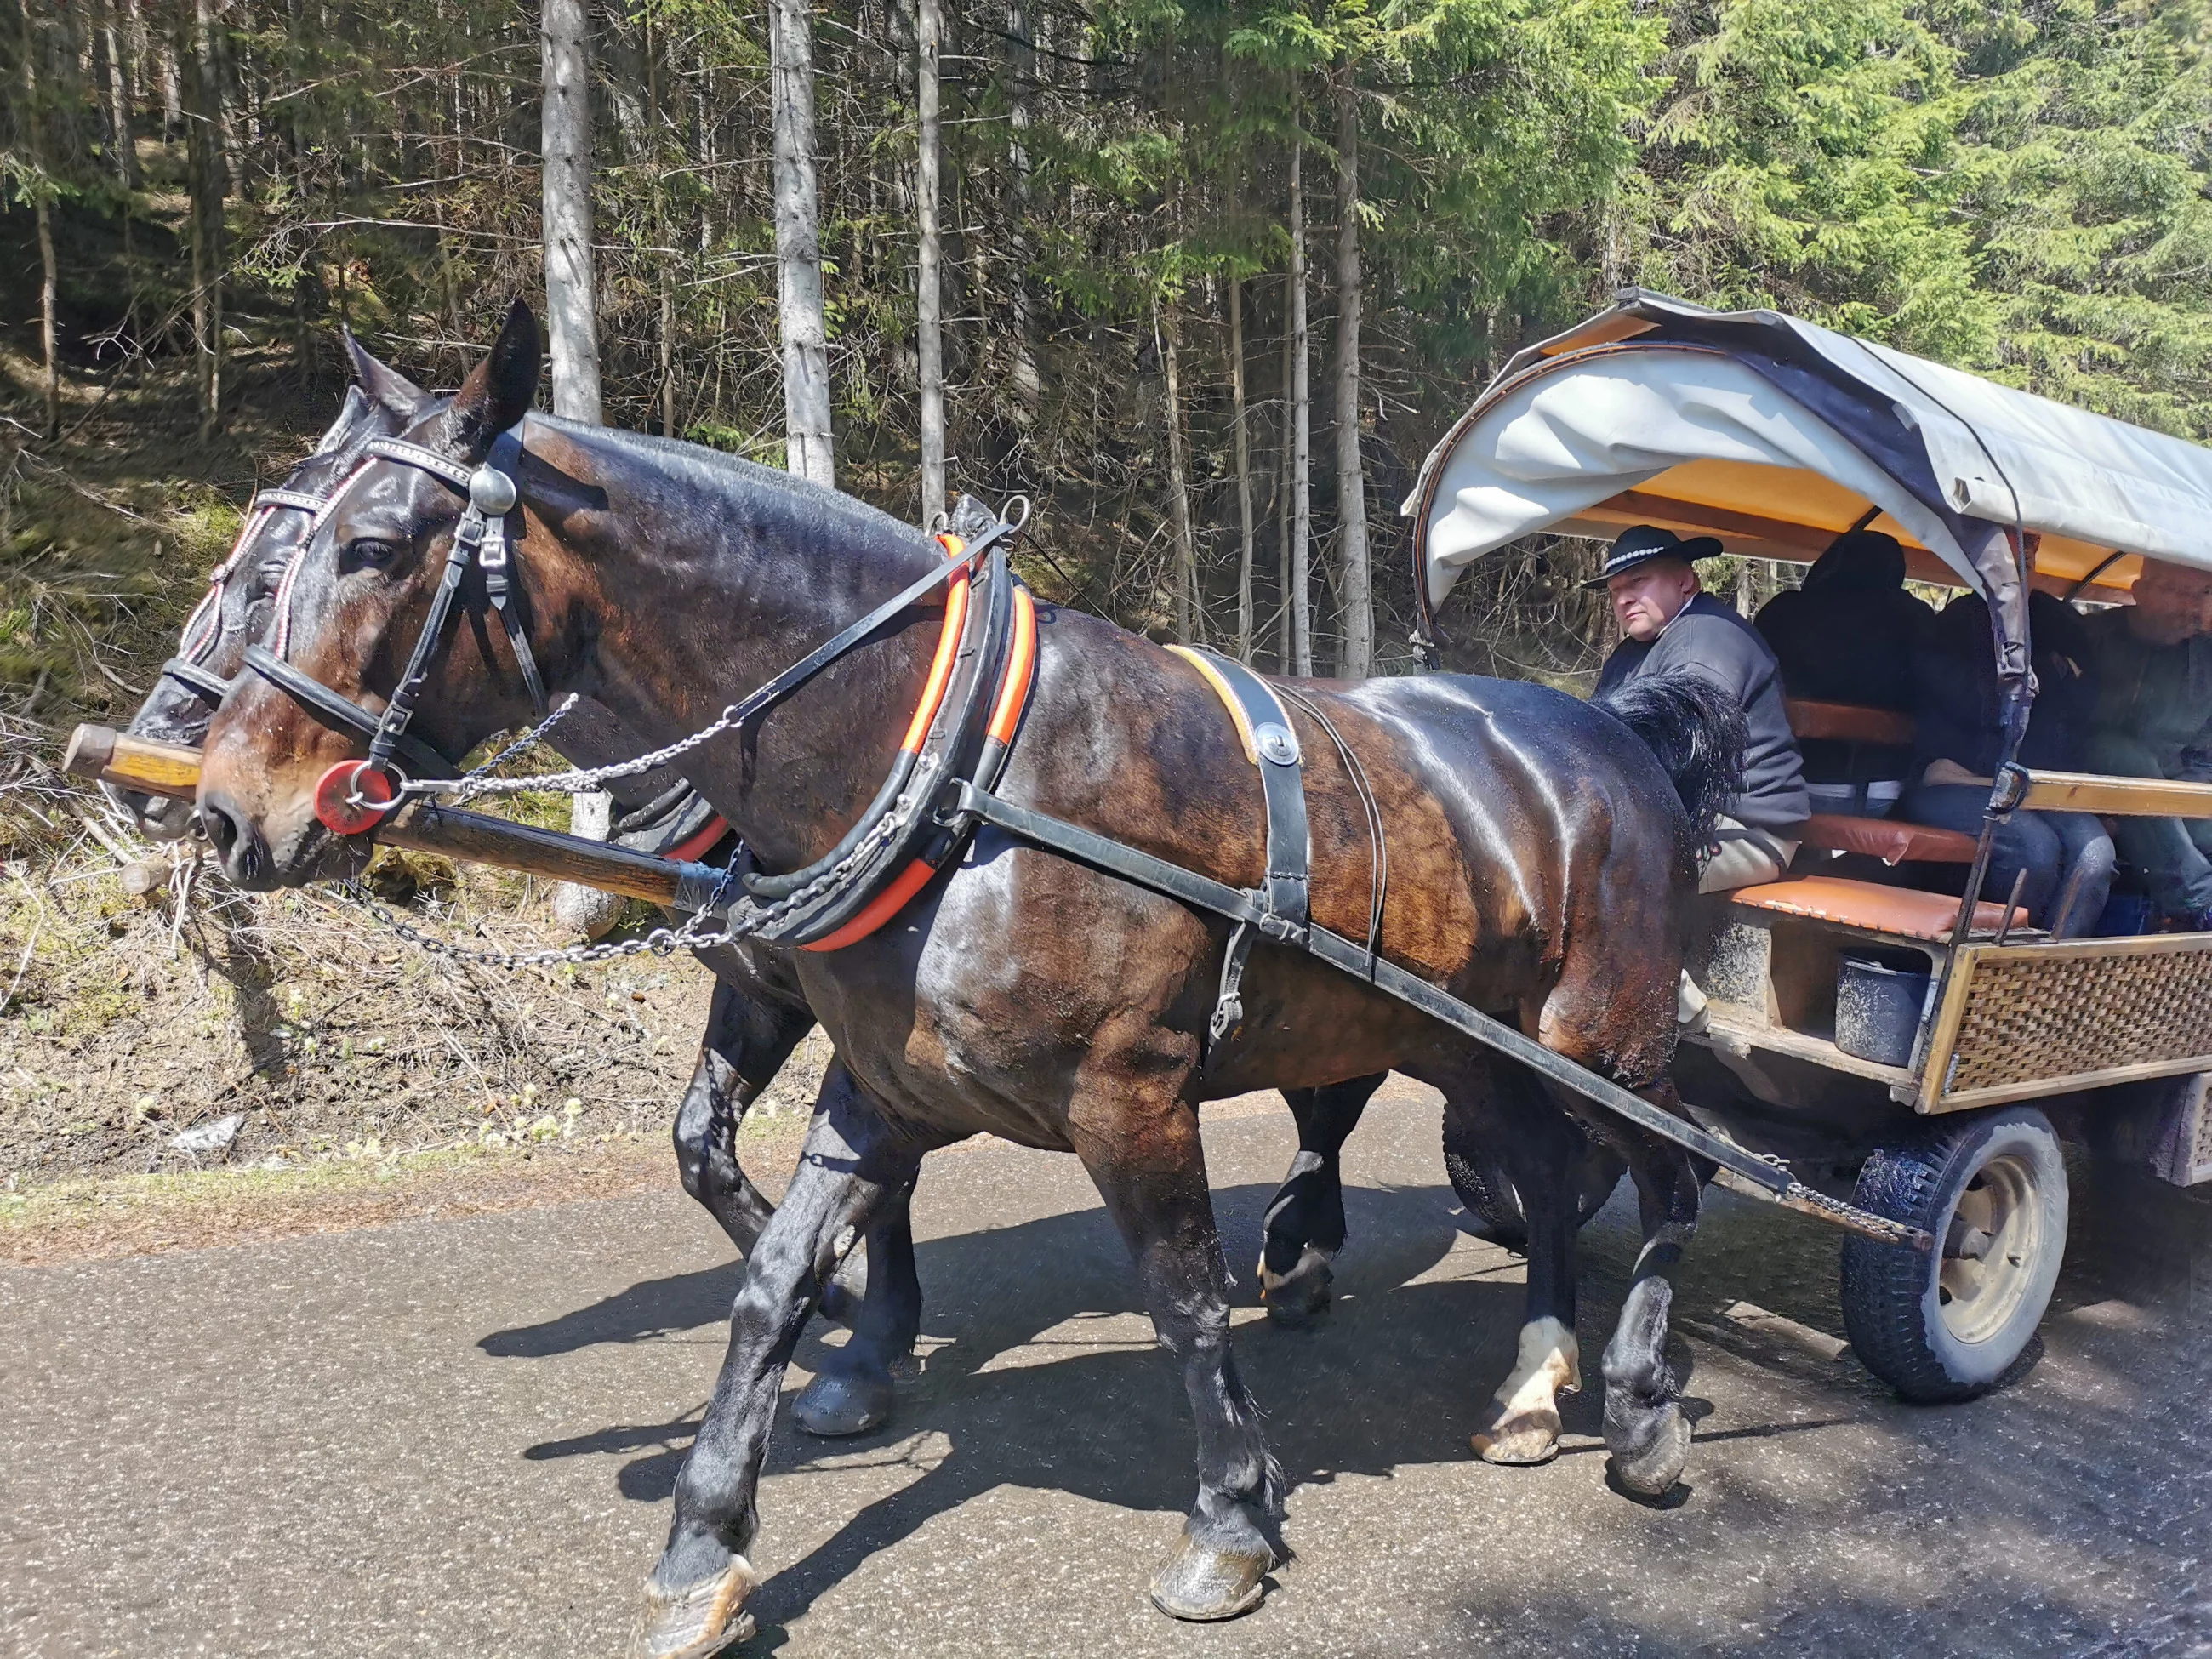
(335,1074)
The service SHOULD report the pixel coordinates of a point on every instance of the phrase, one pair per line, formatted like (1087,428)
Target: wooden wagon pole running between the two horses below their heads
(421,826)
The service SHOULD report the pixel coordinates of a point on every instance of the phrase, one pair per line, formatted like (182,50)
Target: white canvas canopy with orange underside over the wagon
(1775,437)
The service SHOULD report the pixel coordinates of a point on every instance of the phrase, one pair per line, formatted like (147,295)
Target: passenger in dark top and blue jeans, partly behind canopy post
(2067,855)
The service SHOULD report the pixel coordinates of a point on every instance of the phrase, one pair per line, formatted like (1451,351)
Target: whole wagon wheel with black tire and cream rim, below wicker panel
(1959,1322)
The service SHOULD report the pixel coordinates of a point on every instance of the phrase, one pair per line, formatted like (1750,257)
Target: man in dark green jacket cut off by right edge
(2153,720)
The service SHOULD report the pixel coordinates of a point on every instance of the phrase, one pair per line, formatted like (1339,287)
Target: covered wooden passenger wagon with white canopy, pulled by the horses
(1777,437)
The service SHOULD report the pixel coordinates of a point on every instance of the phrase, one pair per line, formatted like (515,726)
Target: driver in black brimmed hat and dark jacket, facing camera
(1671,623)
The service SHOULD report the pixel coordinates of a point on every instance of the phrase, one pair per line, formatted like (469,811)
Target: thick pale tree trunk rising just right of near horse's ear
(572,309)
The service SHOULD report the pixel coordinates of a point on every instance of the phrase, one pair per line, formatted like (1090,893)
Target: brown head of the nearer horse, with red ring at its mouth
(353,609)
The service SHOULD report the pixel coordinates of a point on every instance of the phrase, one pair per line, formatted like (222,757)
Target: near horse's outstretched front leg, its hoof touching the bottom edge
(855,1165)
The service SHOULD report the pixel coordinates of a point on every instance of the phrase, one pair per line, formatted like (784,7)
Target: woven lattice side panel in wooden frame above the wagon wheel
(2067,1016)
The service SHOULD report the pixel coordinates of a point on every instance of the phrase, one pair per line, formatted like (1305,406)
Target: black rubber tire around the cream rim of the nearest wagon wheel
(1890,1297)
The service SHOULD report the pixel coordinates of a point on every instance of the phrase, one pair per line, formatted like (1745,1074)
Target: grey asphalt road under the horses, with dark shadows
(459,1439)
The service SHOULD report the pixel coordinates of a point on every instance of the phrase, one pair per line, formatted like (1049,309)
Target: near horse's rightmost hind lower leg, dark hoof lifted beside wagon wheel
(1645,1426)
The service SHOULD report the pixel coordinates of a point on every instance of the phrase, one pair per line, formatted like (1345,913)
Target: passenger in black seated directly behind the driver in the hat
(1848,638)
